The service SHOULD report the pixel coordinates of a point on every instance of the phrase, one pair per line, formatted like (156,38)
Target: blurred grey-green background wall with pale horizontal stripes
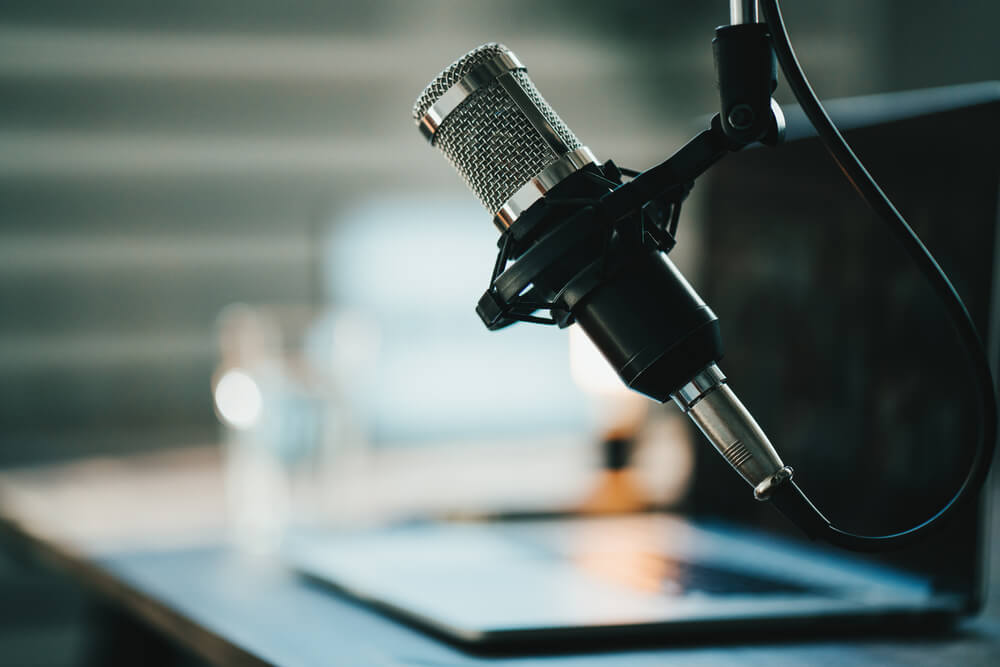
(160,160)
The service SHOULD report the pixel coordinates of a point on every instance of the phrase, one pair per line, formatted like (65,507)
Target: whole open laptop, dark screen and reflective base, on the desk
(844,357)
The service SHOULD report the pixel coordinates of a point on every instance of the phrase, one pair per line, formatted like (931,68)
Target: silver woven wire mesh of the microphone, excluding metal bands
(488,138)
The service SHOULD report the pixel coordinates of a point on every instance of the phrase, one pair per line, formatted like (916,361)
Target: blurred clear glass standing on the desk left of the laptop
(284,427)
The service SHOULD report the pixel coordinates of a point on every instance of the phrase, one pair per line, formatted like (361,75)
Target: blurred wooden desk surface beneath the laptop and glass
(147,534)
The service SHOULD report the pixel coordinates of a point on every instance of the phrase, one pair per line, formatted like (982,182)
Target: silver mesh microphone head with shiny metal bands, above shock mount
(487,117)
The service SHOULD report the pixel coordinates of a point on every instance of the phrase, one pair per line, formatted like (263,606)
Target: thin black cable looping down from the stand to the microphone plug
(787,497)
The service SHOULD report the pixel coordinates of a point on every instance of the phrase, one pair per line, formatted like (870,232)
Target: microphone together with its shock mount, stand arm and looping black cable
(578,242)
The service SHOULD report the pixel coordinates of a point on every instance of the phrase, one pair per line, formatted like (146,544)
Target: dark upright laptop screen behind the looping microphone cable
(834,340)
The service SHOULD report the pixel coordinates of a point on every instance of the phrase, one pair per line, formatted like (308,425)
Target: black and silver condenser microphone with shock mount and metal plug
(577,242)
